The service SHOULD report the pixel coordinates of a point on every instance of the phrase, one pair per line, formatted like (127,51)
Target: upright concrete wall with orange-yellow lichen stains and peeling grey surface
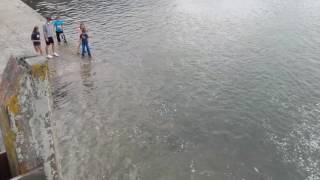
(25,116)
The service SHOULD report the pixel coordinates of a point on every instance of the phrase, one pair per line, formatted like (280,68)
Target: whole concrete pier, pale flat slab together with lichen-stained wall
(25,96)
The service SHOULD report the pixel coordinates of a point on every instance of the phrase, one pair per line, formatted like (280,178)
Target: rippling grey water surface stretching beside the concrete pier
(190,89)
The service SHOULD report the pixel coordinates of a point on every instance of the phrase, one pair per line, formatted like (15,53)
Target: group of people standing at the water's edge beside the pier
(57,25)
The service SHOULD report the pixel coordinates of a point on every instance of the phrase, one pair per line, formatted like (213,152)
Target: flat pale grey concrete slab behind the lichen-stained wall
(17,21)
